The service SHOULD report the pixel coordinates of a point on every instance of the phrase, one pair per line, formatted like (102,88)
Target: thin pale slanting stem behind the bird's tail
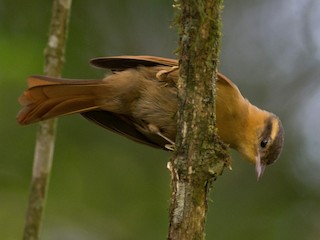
(54,59)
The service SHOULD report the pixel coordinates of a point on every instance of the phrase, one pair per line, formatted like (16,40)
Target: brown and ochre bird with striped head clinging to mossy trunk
(138,100)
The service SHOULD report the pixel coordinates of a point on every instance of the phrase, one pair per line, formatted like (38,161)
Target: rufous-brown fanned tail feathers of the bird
(51,97)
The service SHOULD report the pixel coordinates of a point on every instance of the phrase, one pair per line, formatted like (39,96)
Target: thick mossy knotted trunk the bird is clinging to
(200,156)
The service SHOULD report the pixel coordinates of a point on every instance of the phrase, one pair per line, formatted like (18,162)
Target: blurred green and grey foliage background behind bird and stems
(106,187)
